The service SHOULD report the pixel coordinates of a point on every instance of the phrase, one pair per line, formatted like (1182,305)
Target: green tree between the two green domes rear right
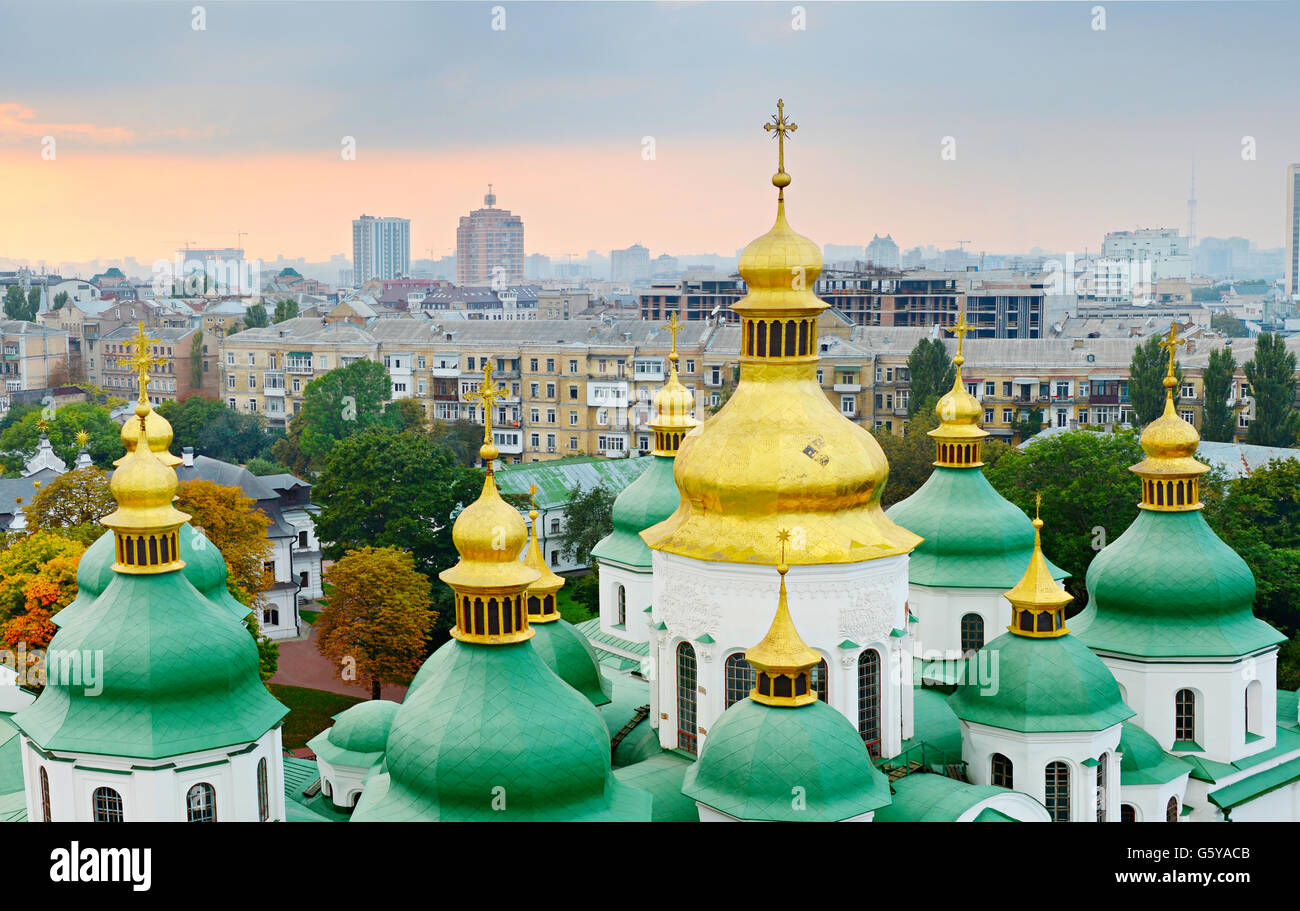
(1090,497)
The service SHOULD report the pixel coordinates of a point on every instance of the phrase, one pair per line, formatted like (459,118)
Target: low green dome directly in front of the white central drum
(756,756)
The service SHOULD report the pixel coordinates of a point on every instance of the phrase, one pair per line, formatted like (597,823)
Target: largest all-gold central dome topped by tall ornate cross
(779,448)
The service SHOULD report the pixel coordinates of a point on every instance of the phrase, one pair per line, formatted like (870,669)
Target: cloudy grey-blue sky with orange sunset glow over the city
(610,124)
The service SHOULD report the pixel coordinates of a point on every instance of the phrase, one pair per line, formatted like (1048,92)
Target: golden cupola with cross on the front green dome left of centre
(489,580)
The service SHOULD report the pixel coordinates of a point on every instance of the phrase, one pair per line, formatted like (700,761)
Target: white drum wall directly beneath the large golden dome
(735,605)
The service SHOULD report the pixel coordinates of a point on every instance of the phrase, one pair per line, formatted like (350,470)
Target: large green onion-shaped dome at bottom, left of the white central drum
(493,725)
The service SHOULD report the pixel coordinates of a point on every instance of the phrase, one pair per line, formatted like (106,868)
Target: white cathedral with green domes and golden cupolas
(772,644)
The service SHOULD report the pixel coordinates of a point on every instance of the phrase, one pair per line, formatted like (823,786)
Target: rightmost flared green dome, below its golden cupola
(1169,588)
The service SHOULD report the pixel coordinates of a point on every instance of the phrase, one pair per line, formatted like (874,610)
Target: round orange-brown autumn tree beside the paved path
(378,614)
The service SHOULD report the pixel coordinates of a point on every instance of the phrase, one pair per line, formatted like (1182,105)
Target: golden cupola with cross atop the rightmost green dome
(1171,474)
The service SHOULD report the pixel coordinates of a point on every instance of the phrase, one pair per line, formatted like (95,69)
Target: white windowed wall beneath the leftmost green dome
(158,795)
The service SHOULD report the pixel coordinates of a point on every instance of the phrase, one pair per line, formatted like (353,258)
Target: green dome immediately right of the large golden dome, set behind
(973,537)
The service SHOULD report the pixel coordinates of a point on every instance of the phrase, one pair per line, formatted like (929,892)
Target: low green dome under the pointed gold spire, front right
(1039,686)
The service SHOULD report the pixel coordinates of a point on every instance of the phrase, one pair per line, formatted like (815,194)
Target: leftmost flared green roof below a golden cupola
(177,676)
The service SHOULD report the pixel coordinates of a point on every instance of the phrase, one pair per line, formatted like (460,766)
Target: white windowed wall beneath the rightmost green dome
(1150,688)
